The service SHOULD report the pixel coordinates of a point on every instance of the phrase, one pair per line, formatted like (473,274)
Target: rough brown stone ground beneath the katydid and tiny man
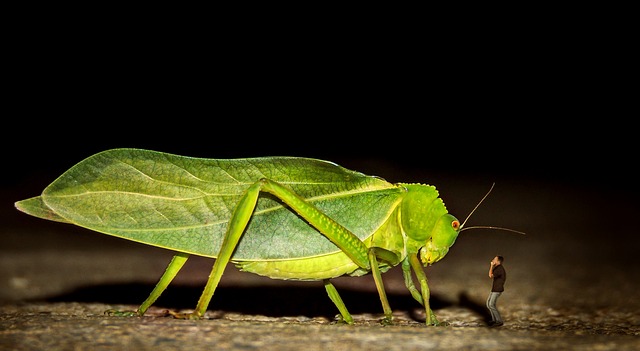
(573,283)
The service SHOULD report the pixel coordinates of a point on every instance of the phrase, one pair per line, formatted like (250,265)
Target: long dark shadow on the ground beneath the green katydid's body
(268,301)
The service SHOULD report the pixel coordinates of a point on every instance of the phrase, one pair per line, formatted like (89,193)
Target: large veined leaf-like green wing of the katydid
(185,203)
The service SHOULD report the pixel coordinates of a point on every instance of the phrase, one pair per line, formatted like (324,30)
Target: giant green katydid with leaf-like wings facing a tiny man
(281,217)
